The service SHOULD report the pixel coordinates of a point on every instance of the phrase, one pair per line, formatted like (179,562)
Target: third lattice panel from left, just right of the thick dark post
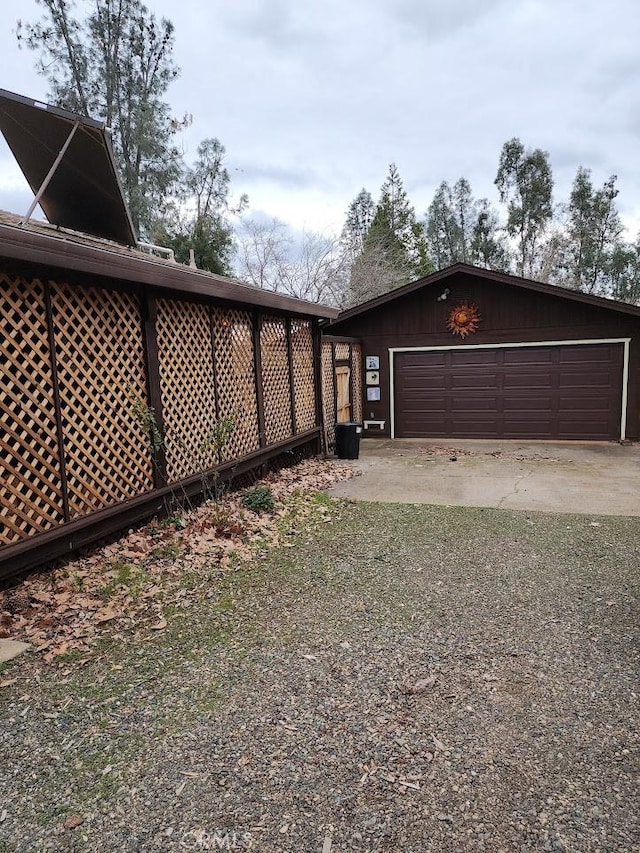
(188,390)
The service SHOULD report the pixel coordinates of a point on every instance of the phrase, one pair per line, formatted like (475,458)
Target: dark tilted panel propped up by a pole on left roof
(68,162)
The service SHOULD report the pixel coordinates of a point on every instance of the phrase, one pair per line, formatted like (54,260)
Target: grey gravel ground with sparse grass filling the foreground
(409,679)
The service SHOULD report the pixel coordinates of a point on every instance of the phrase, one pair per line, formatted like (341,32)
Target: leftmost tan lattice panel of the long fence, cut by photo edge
(30,492)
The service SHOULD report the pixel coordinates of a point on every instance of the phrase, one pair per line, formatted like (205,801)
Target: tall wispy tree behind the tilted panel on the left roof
(115,63)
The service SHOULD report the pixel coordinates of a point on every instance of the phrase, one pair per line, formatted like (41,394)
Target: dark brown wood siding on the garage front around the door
(508,314)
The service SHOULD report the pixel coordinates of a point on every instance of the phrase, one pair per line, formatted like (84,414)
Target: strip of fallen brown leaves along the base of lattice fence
(127,584)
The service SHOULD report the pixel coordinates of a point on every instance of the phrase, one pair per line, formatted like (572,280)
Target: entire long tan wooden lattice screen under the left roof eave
(80,367)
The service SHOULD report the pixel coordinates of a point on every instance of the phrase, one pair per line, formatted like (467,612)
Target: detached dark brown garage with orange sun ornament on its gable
(474,353)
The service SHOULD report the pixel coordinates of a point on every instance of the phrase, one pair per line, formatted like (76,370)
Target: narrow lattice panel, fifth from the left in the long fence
(275,379)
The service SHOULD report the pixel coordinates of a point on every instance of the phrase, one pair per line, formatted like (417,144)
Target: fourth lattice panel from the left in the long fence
(236,380)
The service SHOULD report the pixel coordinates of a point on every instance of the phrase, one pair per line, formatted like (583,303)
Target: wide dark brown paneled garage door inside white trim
(563,392)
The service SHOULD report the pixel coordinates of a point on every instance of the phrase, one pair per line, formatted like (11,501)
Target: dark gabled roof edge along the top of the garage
(528,284)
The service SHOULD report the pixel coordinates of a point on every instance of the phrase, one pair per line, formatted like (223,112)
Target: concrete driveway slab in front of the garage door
(591,477)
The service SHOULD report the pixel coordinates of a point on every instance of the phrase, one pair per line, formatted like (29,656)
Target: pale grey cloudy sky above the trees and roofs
(314,99)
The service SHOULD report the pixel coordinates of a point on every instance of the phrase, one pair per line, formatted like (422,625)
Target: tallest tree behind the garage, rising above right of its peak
(525,184)
